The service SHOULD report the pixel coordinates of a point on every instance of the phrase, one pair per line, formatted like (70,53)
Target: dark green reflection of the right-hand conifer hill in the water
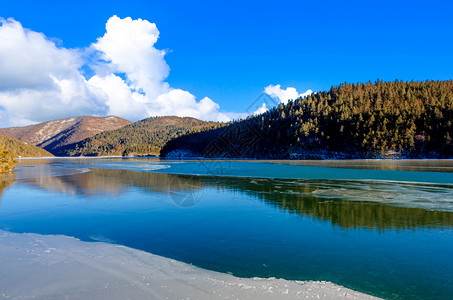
(299,197)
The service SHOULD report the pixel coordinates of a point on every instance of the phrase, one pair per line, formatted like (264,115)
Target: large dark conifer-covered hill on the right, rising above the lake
(400,119)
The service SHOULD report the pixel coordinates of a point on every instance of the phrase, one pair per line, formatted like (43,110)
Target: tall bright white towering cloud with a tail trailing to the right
(128,48)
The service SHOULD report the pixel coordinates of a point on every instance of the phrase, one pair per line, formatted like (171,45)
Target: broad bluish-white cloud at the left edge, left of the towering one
(39,81)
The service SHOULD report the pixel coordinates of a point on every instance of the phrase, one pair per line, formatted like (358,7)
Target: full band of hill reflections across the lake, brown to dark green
(344,204)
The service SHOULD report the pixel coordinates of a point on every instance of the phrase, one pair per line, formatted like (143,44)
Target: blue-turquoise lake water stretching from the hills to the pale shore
(377,227)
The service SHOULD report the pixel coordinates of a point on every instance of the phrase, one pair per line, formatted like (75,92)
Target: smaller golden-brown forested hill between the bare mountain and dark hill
(145,137)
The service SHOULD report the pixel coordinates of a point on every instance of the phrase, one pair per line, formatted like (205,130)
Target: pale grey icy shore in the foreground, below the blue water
(50,266)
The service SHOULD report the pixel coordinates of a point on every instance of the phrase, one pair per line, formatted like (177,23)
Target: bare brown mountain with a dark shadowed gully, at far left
(52,135)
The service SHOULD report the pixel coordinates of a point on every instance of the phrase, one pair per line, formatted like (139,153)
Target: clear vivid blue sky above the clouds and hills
(229,51)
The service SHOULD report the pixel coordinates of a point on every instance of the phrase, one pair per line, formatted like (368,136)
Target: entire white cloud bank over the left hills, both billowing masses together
(40,81)
